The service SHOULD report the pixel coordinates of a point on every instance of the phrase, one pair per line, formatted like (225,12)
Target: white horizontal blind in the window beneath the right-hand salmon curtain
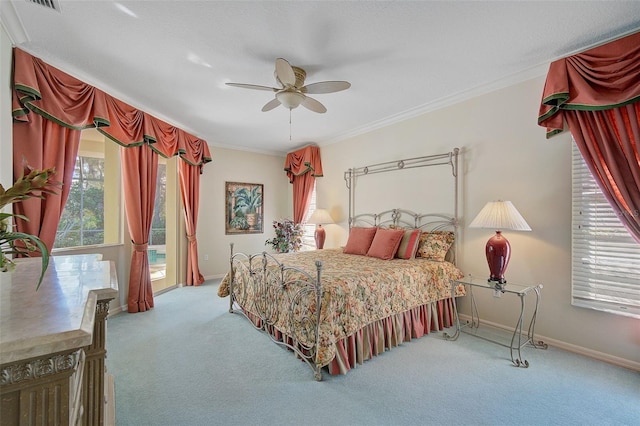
(605,258)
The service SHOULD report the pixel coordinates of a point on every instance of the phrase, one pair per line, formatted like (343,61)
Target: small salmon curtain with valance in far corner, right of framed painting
(302,168)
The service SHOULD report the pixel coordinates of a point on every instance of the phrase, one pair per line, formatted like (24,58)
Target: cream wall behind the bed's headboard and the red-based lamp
(505,156)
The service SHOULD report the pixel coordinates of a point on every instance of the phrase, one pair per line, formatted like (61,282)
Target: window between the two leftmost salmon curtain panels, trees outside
(92,213)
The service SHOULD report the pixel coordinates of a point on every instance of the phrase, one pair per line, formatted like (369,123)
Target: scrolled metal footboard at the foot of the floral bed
(257,285)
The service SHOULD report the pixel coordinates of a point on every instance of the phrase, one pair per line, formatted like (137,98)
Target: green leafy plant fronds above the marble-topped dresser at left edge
(35,184)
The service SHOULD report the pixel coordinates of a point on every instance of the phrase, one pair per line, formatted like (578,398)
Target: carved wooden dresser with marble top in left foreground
(52,342)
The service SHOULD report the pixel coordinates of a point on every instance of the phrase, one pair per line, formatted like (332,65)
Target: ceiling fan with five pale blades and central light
(293,92)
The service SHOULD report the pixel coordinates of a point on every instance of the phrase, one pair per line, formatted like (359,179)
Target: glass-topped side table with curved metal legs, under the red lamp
(519,339)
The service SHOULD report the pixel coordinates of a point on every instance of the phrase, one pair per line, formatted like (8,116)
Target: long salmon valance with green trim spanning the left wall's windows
(57,96)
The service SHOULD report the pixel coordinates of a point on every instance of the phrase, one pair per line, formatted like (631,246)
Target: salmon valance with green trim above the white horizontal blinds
(601,78)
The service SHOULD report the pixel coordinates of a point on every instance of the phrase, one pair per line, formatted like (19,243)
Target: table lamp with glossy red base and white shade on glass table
(499,215)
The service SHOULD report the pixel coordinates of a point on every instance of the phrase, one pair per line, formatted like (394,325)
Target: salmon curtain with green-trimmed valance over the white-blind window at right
(597,93)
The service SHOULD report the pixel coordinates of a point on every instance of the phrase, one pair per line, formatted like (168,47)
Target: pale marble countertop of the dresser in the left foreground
(60,314)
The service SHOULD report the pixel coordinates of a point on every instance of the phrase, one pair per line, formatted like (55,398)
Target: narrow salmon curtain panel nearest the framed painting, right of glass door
(190,188)
